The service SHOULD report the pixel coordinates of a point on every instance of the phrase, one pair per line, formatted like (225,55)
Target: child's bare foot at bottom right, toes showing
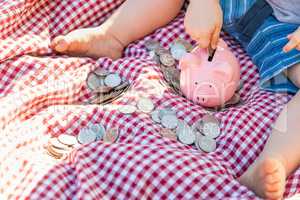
(266,179)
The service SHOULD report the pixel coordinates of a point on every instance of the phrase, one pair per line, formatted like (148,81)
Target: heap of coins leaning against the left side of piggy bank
(168,59)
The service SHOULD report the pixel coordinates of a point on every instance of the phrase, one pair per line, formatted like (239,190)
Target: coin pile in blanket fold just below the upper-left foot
(107,86)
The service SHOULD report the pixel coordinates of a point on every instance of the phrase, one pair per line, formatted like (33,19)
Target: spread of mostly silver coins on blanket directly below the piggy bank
(203,133)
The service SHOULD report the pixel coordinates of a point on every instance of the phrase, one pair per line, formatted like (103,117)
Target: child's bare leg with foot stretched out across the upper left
(133,20)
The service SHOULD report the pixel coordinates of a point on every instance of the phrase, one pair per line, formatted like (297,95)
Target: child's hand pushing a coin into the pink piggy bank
(203,22)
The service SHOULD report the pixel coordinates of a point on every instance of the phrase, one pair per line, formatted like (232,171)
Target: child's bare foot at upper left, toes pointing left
(89,42)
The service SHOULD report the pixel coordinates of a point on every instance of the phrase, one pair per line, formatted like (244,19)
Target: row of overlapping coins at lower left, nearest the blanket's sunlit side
(59,147)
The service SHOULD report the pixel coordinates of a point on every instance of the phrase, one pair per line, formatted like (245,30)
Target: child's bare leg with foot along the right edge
(281,155)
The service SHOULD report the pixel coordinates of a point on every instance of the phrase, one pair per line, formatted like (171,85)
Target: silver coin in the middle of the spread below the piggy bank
(185,134)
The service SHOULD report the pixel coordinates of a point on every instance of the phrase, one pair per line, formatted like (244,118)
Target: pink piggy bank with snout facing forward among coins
(206,83)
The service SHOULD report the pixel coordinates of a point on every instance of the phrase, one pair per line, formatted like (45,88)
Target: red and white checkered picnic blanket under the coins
(42,95)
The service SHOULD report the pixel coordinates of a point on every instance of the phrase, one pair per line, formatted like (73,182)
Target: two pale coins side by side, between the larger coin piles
(144,105)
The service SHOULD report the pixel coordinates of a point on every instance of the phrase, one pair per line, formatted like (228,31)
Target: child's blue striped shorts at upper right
(265,48)
